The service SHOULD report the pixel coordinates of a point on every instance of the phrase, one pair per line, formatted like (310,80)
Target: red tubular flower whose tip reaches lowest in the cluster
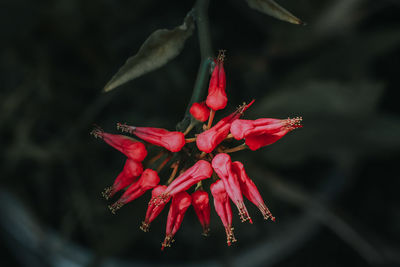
(180,203)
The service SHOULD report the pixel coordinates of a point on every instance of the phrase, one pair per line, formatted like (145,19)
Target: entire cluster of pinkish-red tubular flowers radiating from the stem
(194,160)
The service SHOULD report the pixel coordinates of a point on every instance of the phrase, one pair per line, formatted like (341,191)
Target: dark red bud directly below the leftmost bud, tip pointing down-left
(132,170)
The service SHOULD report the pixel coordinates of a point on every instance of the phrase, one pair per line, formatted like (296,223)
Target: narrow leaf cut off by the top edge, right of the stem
(271,8)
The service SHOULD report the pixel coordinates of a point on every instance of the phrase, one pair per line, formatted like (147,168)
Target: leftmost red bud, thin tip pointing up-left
(131,147)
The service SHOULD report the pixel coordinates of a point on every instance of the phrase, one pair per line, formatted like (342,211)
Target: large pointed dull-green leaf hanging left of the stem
(162,46)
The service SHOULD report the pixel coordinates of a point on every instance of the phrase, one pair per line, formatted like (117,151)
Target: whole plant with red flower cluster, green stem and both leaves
(204,156)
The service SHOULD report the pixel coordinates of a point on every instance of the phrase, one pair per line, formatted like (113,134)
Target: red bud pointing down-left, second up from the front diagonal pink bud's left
(148,180)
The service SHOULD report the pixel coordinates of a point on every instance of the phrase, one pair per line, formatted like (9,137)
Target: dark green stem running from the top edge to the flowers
(203,29)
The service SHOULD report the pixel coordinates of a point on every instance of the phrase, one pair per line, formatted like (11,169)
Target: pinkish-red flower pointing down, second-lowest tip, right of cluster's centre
(223,208)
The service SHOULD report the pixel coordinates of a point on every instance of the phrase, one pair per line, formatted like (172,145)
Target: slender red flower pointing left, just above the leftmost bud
(173,141)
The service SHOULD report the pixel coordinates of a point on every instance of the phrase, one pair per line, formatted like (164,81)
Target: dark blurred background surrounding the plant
(333,185)
